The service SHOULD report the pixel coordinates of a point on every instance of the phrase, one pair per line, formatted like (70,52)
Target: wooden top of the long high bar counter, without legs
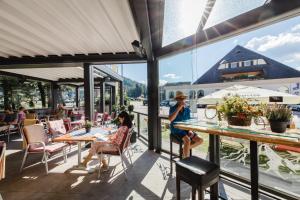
(254,133)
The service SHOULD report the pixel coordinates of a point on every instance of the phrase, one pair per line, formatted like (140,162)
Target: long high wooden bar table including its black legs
(254,135)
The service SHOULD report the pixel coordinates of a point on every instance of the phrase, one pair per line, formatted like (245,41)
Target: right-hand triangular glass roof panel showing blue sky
(224,10)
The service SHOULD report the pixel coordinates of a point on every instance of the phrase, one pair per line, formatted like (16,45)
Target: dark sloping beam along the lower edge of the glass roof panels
(267,14)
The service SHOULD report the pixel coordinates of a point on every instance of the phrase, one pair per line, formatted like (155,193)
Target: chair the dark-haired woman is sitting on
(117,150)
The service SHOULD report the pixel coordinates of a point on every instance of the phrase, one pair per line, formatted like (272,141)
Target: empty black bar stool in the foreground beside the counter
(198,173)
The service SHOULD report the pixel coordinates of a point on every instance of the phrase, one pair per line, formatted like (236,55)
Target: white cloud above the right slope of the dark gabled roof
(270,42)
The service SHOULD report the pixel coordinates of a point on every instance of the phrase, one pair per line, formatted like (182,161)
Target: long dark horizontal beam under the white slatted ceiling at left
(65,59)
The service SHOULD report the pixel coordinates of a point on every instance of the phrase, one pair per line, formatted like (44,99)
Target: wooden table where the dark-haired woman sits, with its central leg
(80,135)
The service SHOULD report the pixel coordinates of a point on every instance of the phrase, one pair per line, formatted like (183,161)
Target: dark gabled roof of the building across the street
(271,70)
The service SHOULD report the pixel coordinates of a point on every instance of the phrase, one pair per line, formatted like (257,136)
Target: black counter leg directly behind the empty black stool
(214,156)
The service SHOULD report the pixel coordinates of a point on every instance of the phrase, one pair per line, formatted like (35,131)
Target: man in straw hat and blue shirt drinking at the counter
(181,112)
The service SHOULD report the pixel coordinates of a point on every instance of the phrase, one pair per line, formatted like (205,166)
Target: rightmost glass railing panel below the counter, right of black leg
(279,167)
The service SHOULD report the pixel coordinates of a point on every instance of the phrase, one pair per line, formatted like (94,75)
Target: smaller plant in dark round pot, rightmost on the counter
(279,117)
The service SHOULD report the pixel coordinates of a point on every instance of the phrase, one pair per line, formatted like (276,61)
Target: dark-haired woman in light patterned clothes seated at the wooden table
(117,139)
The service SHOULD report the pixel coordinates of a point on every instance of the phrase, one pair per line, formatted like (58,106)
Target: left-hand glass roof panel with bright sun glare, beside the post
(181,19)
